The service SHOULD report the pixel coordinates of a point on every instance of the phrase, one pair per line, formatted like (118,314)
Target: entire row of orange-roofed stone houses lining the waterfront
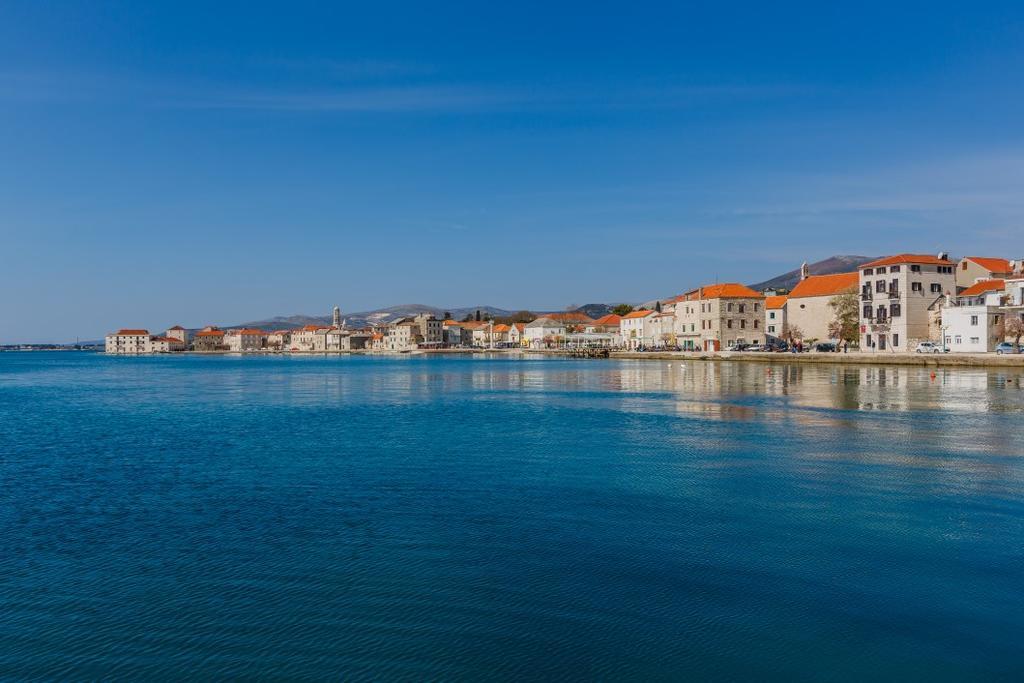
(889,305)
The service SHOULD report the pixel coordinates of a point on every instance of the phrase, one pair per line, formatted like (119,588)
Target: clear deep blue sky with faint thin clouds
(214,163)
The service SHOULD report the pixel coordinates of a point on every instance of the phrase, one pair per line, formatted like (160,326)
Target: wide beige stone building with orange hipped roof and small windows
(719,317)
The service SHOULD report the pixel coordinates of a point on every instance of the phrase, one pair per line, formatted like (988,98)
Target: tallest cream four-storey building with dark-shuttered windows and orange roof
(897,295)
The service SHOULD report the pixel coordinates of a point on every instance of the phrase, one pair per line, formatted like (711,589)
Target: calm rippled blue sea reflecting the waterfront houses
(507,518)
